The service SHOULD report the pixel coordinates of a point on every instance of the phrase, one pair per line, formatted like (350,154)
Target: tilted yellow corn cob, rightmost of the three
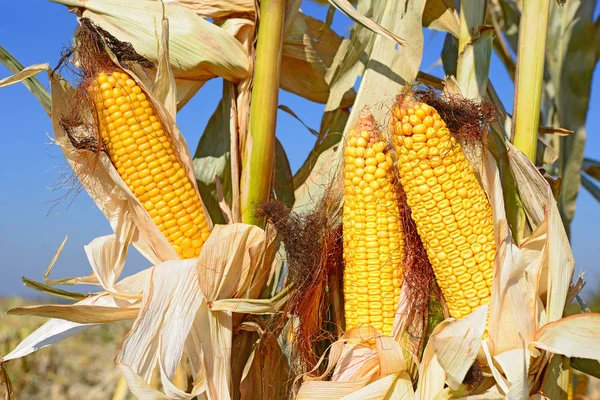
(449,207)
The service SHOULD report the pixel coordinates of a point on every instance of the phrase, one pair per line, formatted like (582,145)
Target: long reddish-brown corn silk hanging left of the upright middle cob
(313,246)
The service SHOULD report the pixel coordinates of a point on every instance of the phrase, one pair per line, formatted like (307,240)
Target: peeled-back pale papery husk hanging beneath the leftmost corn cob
(181,295)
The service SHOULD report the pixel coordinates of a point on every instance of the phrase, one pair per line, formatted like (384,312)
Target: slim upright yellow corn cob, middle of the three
(372,231)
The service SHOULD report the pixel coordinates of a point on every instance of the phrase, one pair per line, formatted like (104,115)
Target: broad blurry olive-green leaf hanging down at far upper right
(571,59)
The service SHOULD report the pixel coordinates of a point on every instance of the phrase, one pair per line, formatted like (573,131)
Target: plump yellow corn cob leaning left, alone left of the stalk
(142,152)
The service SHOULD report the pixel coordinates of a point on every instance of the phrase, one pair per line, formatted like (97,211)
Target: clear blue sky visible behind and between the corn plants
(36,31)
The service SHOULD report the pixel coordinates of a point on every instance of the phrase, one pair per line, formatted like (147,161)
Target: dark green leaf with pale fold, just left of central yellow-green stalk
(212,157)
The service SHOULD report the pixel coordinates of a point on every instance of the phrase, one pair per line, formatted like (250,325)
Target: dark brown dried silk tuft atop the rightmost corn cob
(466,119)
